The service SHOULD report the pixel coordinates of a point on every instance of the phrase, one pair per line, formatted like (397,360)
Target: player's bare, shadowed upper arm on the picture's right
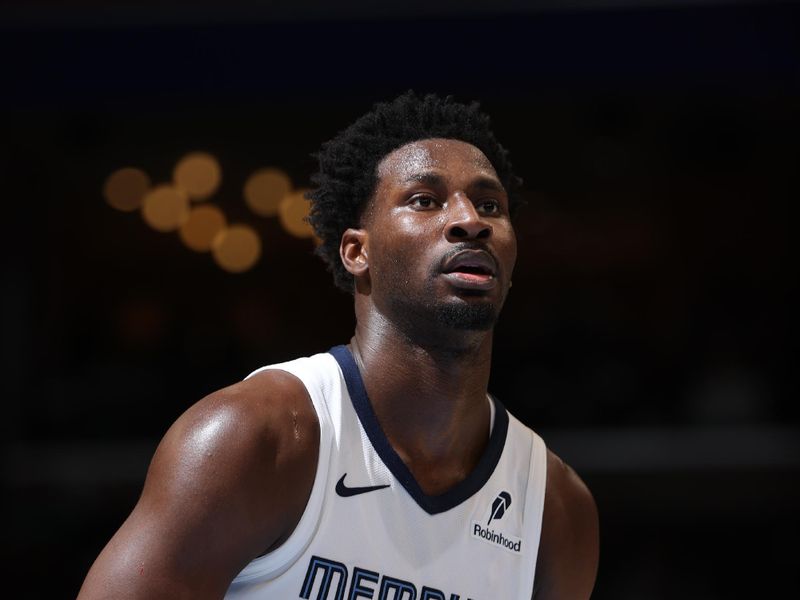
(569,548)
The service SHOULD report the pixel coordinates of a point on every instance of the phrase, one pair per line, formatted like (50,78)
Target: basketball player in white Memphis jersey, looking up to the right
(380,469)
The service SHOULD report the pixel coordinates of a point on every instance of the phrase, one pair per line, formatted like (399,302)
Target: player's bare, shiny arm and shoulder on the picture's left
(229,481)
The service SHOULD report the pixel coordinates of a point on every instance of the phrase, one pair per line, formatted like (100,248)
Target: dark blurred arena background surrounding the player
(650,334)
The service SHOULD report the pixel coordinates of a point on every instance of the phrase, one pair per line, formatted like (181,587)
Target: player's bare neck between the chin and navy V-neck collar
(429,396)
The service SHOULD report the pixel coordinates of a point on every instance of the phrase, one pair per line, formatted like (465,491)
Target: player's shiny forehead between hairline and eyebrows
(432,154)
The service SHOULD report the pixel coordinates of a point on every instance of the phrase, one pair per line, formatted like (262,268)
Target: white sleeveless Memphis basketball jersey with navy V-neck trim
(369,531)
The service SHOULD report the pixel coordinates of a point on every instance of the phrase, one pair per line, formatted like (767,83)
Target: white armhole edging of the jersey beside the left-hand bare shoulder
(276,562)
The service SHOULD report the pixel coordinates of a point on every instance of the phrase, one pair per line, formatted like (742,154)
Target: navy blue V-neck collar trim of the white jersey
(430,504)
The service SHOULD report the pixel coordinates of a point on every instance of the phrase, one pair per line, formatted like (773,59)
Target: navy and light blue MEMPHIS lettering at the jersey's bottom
(330,579)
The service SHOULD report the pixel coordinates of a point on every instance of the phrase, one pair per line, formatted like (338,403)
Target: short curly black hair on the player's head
(348,163)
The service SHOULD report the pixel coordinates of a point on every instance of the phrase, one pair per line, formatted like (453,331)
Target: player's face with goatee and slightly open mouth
(440,242)
